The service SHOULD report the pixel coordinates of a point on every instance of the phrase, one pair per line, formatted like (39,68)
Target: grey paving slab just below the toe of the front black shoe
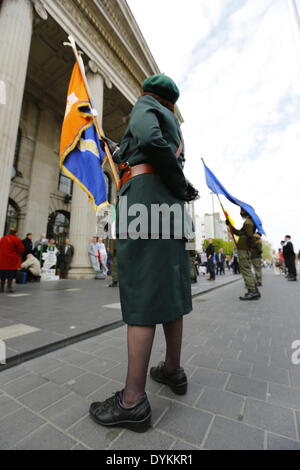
(93,435)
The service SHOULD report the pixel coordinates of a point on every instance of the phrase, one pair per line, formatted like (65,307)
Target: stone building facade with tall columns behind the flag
(35,69)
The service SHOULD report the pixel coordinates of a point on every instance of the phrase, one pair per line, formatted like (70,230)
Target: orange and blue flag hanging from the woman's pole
(81,155)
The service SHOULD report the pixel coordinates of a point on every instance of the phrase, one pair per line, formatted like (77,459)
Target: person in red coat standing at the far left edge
(11,250)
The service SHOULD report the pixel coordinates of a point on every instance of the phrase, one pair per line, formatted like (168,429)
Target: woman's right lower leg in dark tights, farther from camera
(173,335)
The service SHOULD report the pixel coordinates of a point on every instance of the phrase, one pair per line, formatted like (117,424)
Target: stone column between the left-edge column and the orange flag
(42,175)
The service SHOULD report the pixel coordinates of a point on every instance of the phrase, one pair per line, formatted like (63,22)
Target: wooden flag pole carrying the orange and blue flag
(80,63)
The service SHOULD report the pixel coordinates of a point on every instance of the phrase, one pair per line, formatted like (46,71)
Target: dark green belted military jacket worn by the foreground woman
(153,136)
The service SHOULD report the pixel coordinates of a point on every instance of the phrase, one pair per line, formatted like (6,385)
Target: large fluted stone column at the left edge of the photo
(16,20)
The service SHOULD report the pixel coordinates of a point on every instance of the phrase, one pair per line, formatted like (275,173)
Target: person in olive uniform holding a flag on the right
(244,245)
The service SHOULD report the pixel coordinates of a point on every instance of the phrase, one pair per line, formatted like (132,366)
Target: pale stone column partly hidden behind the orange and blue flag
(83,216)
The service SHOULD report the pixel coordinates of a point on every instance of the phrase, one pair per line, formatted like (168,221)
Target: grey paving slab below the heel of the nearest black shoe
(134,441)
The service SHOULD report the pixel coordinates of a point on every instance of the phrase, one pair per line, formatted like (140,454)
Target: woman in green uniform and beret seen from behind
(153,263)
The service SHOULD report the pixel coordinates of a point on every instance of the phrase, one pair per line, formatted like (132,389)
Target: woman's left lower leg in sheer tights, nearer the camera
(140,340)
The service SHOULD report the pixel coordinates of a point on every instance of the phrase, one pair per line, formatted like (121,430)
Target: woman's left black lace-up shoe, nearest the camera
(111,412)
